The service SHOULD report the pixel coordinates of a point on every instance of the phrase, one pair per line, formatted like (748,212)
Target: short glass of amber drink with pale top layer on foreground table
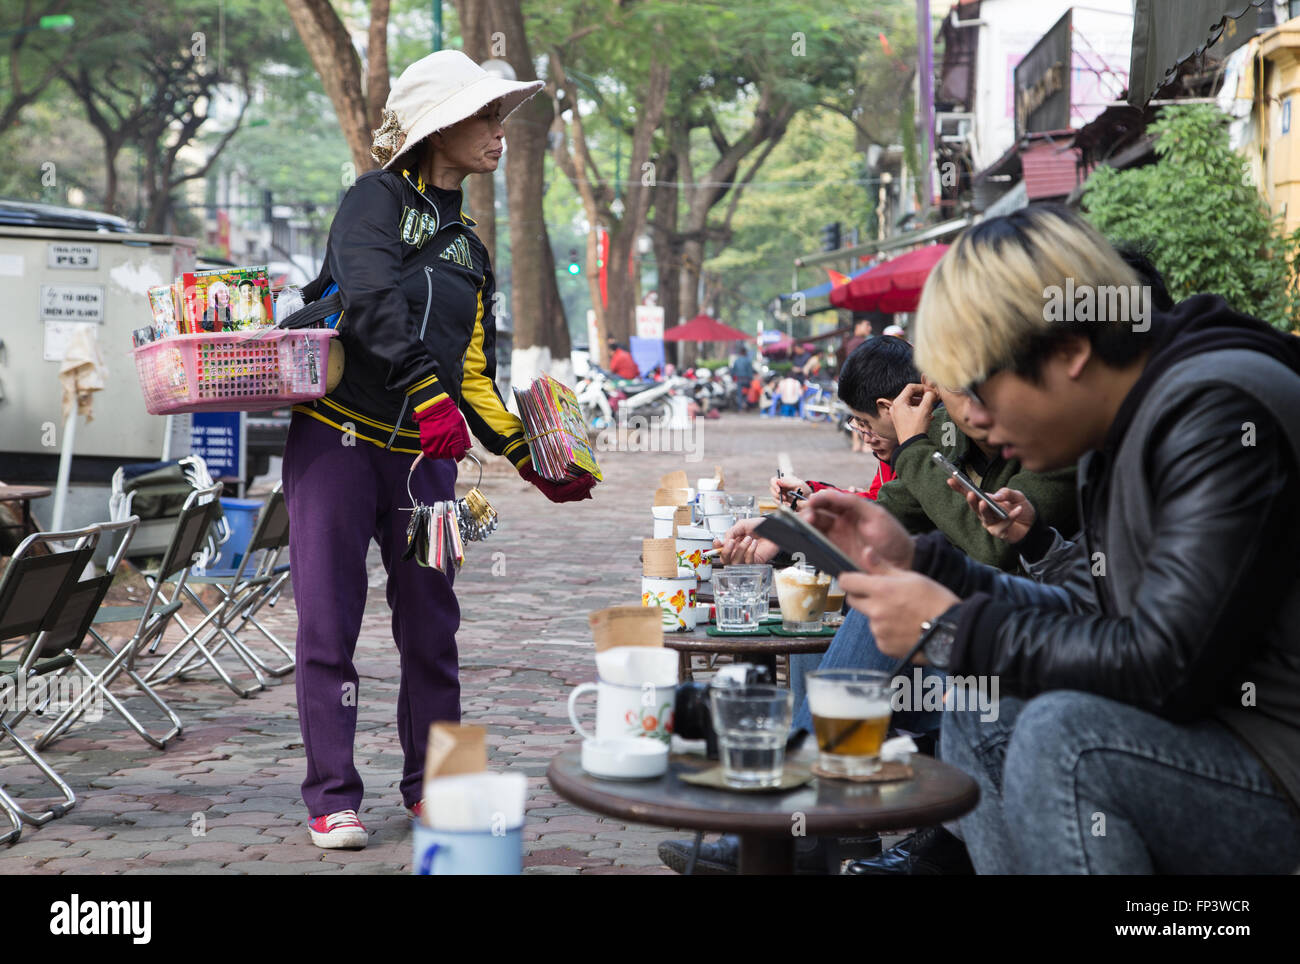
(851,717)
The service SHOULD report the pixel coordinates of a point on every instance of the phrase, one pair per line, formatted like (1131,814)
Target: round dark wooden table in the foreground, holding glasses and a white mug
(769,823)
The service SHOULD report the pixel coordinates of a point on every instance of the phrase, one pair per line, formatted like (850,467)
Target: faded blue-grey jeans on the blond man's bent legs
(1073,783)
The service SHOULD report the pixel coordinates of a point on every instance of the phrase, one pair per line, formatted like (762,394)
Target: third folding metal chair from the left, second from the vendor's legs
(176,568)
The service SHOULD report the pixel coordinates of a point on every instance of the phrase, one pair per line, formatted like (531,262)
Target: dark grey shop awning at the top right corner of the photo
(1168,33)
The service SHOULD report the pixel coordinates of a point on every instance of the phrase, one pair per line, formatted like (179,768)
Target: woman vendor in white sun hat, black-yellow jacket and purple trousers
(406,260)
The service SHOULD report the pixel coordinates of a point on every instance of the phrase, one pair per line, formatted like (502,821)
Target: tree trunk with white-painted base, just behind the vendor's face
(541,332)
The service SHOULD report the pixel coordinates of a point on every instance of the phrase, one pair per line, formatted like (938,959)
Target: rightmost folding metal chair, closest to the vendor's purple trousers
(246,590)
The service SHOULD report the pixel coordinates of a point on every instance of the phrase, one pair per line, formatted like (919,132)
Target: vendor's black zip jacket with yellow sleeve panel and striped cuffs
(405,259)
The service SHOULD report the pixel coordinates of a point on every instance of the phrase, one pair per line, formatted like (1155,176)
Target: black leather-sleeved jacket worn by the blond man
(1181,597)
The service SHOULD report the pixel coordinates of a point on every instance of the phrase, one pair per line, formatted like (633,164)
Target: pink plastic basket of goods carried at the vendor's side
(235,371)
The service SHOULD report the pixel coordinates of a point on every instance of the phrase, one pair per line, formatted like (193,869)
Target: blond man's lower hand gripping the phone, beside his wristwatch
(896,602)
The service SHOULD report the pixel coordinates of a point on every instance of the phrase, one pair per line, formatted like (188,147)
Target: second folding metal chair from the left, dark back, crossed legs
(84,609)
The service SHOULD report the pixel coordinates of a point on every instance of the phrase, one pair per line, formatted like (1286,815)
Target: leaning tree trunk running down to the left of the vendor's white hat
(331,49)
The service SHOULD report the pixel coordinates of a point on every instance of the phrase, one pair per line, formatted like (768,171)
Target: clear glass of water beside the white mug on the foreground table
(752,724)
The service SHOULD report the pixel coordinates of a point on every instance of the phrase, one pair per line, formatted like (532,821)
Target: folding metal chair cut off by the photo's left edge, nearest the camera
(33,593)
